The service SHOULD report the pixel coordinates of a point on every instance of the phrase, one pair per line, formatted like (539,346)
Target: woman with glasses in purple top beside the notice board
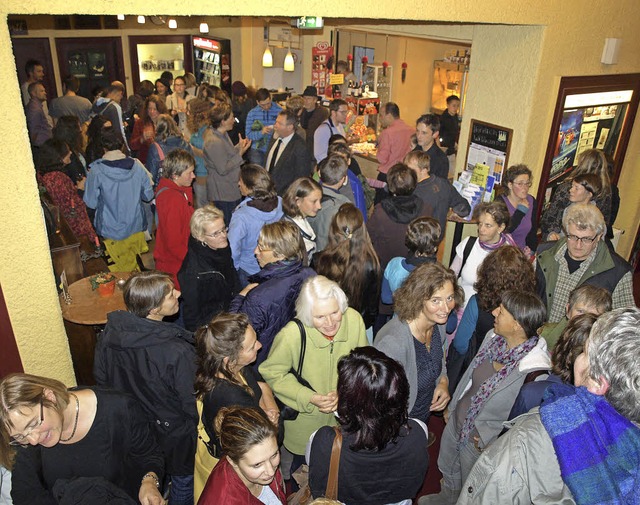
(523,208)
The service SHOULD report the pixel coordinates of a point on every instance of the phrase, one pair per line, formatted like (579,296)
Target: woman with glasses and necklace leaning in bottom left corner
(49,435)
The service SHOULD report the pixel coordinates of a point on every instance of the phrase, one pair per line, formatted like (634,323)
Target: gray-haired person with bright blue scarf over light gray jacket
(583,444)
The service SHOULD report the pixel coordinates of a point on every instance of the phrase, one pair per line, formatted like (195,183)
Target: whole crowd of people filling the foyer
(298,316)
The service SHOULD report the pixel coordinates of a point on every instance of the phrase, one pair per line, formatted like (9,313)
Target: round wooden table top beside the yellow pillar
(87,306)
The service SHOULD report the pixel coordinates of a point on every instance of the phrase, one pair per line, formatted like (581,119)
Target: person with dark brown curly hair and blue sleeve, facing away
(505,268)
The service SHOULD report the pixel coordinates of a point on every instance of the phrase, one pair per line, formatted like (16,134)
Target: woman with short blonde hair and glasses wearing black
(208,279)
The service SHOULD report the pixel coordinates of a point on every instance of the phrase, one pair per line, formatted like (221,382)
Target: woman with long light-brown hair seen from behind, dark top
(351,261)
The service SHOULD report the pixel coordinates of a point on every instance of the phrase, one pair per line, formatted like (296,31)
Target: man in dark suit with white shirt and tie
(287,156)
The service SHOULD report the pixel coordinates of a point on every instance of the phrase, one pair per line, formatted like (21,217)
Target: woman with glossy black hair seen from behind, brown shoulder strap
(384,454)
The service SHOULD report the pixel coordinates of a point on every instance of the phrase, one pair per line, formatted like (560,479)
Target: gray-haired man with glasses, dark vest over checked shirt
(581,257)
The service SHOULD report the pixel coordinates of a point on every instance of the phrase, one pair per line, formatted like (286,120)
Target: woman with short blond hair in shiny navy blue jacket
(269,301)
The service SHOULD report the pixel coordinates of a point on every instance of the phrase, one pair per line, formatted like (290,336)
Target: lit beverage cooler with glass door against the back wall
(212,61)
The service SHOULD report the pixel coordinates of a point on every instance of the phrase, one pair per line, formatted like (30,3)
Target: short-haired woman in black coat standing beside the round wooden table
(155,361)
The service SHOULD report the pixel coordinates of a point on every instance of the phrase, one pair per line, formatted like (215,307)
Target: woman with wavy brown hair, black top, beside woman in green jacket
(225,347)
